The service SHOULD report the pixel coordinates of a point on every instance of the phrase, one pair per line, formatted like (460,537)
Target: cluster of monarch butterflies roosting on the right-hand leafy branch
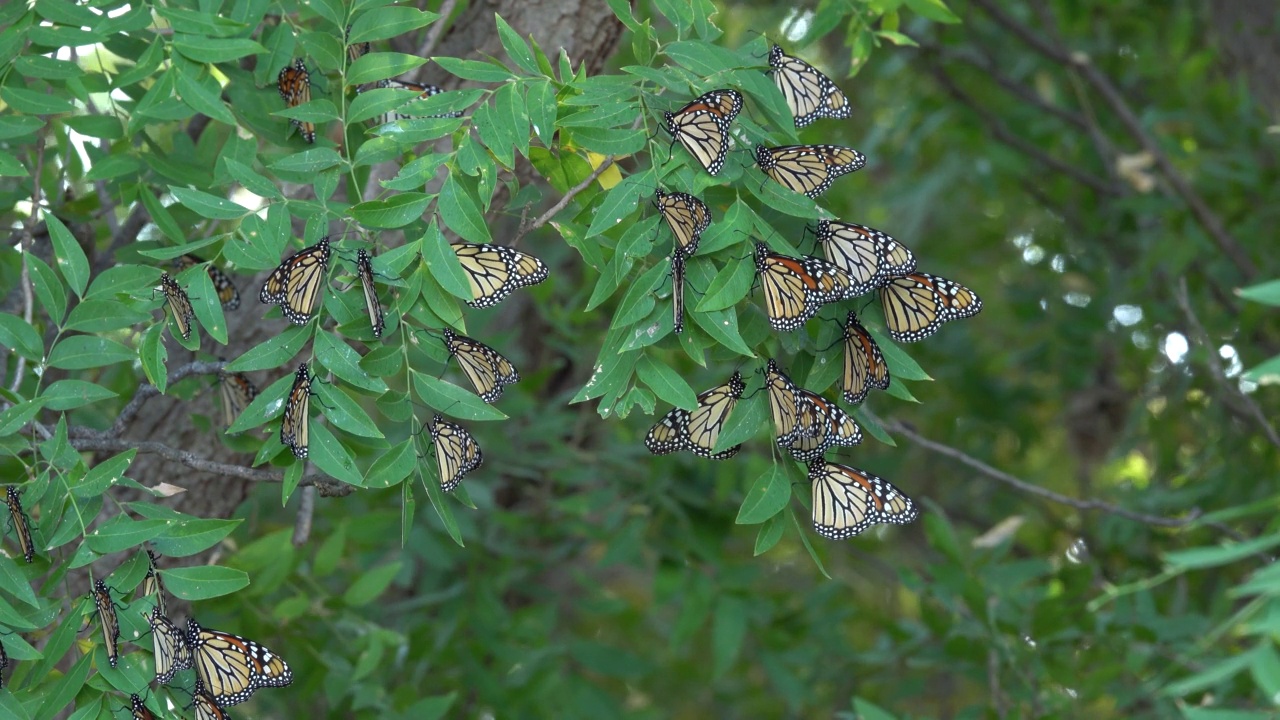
(857,261)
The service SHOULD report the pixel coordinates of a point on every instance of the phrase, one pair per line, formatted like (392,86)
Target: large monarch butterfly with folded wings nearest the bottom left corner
(230,668)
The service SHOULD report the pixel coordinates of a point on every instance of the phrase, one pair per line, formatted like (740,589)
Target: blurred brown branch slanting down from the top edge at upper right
(1081,63)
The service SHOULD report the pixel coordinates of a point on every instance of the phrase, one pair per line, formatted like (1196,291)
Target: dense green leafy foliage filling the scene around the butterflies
(1094,466)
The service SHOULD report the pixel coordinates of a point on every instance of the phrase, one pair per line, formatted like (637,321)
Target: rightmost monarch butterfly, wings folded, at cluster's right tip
(917,306)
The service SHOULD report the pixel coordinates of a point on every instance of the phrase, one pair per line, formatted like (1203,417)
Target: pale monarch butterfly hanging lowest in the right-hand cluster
(847,502)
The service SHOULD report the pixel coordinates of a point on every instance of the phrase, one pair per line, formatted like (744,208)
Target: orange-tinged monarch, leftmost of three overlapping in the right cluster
(796,289)
